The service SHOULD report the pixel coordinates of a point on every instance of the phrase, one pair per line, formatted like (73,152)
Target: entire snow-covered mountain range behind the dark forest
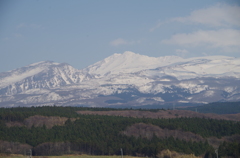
(126,79)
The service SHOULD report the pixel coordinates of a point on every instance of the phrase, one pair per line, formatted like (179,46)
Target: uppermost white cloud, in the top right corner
(218,15)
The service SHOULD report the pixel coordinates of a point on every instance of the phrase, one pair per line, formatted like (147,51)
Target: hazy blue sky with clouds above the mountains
(83,32)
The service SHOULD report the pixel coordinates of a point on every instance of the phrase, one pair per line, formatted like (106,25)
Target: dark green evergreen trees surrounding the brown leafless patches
(102,135)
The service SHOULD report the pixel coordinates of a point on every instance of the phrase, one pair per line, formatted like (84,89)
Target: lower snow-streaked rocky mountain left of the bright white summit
(42,75)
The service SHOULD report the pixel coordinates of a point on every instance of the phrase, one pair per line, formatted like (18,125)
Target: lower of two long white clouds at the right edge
(218,38)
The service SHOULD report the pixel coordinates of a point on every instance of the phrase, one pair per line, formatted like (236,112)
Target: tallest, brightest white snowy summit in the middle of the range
(129,62)
